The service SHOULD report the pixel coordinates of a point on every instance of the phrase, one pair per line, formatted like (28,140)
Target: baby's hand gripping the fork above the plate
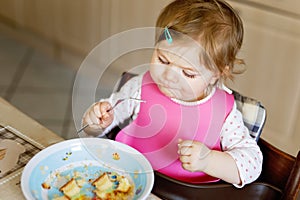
(99,116)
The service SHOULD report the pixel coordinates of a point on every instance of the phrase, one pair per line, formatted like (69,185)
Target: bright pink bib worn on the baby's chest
(161,122)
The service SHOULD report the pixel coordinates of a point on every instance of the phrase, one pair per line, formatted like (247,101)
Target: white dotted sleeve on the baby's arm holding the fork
(128,108)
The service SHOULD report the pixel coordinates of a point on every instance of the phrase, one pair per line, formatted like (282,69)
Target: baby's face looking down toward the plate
(177,71)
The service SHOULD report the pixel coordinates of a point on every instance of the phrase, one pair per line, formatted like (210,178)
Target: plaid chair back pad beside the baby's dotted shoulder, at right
(254,114)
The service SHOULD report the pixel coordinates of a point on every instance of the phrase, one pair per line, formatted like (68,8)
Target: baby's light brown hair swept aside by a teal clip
(213,23)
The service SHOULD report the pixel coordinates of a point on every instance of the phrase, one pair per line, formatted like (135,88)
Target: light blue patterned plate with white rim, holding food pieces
(85,159)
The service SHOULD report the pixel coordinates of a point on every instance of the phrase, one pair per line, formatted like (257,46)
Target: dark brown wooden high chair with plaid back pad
(280,177)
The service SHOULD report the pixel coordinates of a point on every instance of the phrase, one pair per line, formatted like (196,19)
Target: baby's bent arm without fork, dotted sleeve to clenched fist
(239,163)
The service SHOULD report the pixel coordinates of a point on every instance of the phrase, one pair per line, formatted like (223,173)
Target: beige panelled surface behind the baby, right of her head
(271,50)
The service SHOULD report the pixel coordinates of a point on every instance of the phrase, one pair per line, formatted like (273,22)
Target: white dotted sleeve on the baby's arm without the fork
(236,141)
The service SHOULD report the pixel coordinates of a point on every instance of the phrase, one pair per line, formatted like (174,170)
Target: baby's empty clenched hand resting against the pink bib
(193,155)
